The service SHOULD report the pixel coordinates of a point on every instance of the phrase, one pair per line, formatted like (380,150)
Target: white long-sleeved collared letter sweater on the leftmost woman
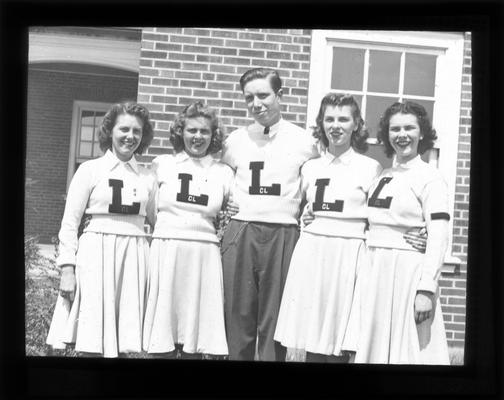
(117,195)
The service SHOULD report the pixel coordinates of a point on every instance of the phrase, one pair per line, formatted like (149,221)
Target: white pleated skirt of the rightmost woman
(383,314)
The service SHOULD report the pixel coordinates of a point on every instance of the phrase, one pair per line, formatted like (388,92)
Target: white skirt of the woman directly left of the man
(185,301)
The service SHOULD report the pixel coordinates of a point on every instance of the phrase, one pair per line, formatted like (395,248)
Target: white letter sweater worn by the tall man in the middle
(267,170)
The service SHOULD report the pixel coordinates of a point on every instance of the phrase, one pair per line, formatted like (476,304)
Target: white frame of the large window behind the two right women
(450,50)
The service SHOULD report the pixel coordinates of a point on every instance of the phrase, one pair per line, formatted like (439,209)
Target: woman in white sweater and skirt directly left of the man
(185,306)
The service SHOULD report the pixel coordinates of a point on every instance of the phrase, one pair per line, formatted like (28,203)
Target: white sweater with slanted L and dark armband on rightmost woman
(409,195)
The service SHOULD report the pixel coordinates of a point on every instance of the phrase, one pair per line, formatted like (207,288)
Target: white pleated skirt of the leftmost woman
(107,313)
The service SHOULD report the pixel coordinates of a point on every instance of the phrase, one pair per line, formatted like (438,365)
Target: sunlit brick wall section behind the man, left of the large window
(181,65)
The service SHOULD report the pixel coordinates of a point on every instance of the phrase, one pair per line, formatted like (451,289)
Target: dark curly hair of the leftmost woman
(110,119)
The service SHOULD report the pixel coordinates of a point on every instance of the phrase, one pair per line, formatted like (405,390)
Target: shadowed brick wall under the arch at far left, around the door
(49,121)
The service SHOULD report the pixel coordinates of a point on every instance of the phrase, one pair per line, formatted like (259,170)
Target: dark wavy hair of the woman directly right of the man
(359,135)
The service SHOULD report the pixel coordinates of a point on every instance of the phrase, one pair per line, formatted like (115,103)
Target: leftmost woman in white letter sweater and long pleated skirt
(104,271)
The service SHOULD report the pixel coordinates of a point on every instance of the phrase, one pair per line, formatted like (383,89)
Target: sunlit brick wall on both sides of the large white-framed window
(180,65)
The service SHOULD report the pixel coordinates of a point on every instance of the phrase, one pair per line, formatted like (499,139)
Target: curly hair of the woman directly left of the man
(195,110)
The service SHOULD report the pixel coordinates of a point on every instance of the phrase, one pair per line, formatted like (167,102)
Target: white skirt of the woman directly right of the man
(319,292)
